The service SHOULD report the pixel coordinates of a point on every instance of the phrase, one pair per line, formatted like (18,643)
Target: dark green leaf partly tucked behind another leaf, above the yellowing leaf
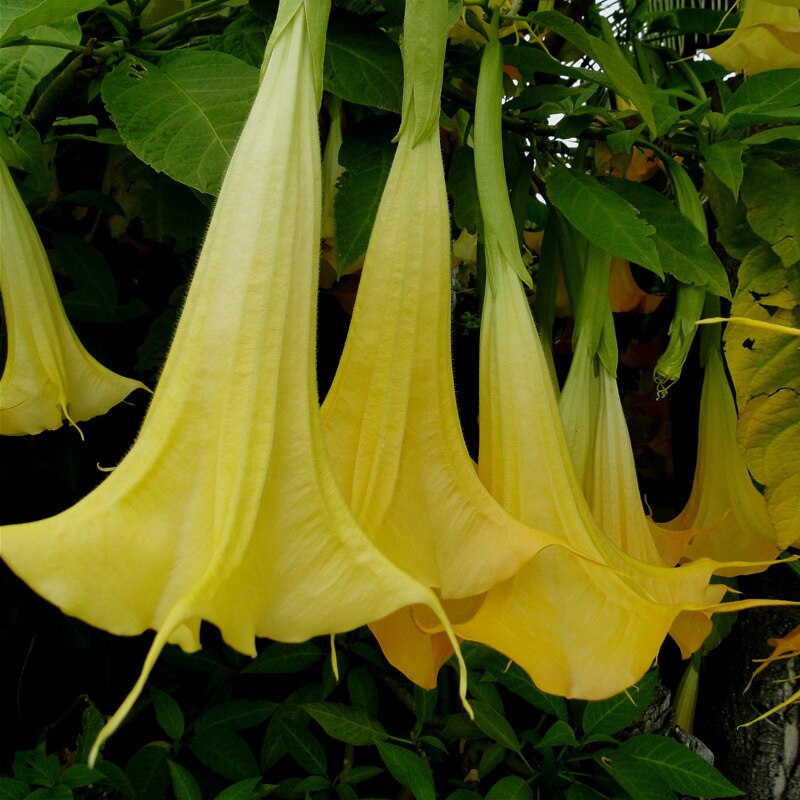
(682,249)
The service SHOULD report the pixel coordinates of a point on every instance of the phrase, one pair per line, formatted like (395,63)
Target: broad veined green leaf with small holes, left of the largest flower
(184,115)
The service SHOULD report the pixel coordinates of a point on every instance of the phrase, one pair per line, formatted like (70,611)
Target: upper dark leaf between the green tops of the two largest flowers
(363,65)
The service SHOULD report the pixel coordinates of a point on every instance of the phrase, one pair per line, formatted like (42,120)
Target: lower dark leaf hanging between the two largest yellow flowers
(367,163)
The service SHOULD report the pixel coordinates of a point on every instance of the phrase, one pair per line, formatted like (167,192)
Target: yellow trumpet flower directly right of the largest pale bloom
(390,417)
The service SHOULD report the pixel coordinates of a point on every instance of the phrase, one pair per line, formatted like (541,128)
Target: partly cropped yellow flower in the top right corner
(767,38)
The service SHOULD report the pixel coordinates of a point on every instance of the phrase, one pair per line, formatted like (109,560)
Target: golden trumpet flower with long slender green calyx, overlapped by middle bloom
(583,625)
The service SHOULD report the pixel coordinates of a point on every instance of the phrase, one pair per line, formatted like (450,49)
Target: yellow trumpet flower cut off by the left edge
(49,376)
